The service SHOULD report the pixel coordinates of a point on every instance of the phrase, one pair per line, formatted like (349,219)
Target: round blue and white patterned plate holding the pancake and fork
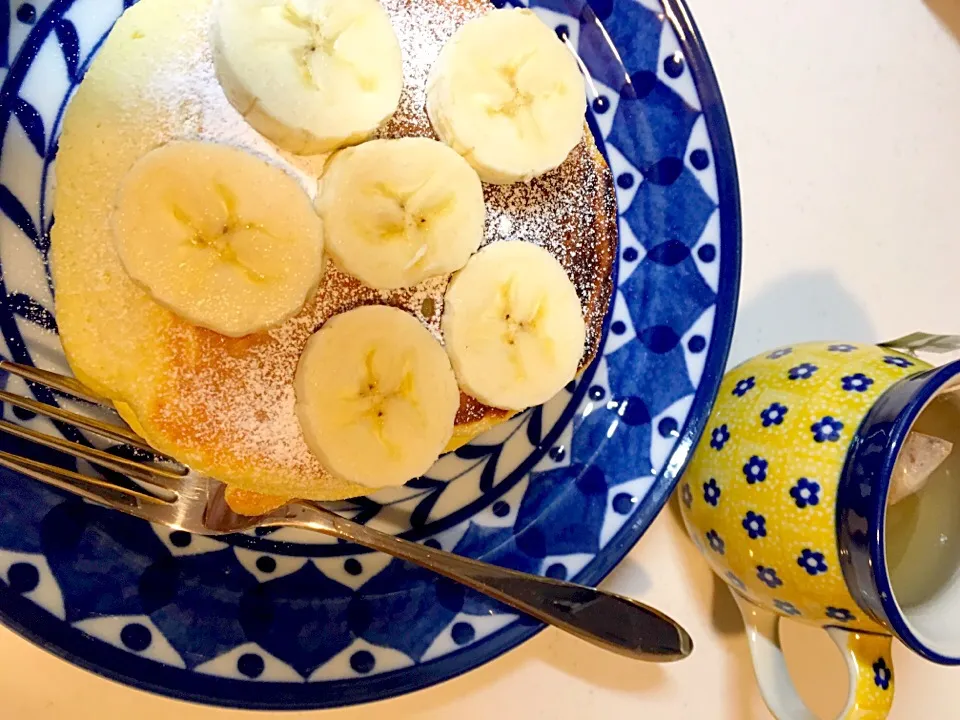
(285,620)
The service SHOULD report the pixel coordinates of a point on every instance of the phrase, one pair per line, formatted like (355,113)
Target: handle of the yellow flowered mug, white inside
(867,655)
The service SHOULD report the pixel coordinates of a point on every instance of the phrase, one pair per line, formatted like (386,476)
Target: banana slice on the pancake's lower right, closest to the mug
(513,326)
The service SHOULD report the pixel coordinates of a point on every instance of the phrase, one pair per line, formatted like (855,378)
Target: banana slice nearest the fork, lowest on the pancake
(376,396)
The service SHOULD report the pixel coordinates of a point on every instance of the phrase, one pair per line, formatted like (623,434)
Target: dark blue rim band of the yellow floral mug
(864,563)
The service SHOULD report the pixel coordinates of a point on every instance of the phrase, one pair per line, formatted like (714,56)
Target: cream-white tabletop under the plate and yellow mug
(846,122)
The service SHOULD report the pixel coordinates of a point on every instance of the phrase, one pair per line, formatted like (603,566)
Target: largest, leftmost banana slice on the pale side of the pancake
(220,237)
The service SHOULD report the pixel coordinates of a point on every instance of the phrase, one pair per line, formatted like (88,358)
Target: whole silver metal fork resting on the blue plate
(168,493)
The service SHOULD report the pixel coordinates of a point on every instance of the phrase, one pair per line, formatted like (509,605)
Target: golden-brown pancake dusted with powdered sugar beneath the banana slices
(225,406)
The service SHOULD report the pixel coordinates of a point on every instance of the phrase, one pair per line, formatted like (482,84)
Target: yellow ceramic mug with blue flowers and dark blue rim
(787,498)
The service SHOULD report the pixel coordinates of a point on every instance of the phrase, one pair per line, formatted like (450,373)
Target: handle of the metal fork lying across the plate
(610,621)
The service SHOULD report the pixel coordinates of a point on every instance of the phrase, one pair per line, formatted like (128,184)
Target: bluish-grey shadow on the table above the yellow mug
(799,308)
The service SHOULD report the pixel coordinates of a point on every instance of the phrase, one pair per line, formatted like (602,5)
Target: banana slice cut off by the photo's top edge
(310,75)
